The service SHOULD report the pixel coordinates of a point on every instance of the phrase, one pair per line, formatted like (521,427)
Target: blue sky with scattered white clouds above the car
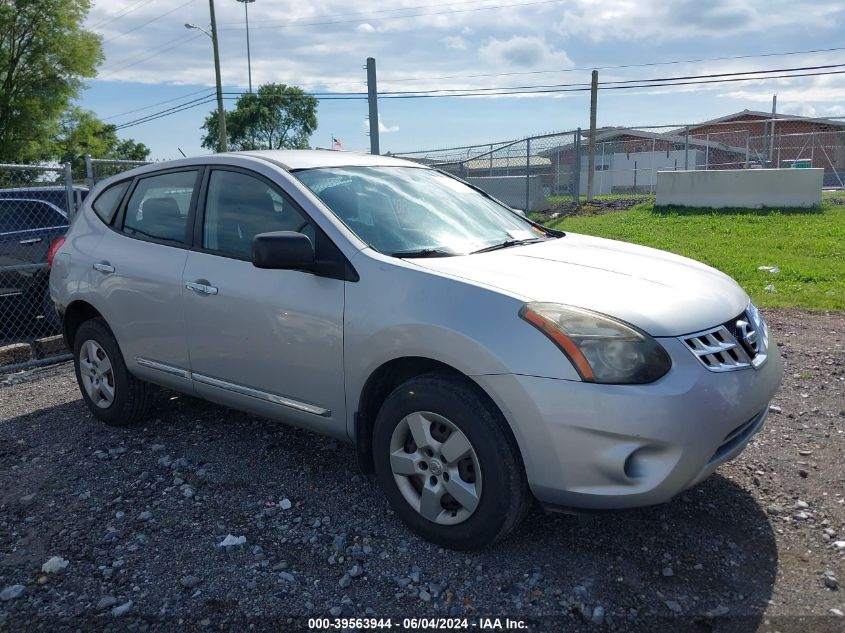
(322,46)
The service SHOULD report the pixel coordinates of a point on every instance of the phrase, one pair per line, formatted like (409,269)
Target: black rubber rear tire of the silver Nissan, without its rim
(132,397)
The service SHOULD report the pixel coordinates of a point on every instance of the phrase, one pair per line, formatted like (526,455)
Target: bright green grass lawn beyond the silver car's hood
(807,245)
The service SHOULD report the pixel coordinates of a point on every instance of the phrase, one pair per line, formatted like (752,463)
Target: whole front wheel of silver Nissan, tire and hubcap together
(448,463)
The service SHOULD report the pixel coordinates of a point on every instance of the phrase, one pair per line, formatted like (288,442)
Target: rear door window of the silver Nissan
(158,207)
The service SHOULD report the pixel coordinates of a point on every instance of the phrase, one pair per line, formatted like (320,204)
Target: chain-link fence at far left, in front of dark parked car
(36,206)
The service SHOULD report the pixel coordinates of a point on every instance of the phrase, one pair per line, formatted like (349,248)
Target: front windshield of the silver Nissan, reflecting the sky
(409,210)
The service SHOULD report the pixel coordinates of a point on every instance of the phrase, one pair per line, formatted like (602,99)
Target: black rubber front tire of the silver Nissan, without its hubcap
(504,497)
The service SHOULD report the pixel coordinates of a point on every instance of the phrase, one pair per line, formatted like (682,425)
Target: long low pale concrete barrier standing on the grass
(746,188)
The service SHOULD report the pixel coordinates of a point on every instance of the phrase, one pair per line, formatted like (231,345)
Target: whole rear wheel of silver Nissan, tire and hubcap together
(112,394)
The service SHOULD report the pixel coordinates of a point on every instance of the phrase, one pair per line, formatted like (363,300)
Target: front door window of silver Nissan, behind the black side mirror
(239,207)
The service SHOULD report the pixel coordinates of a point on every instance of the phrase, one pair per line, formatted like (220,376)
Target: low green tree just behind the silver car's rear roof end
(80,132)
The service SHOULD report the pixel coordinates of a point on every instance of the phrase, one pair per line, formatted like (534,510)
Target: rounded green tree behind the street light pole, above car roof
(275,117)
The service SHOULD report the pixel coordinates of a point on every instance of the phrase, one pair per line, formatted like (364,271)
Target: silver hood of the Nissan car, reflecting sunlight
(661,293)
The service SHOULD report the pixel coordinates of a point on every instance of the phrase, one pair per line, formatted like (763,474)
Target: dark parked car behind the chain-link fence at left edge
(30,231)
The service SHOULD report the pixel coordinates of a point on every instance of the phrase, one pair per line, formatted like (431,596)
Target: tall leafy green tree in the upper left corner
(44,55)
